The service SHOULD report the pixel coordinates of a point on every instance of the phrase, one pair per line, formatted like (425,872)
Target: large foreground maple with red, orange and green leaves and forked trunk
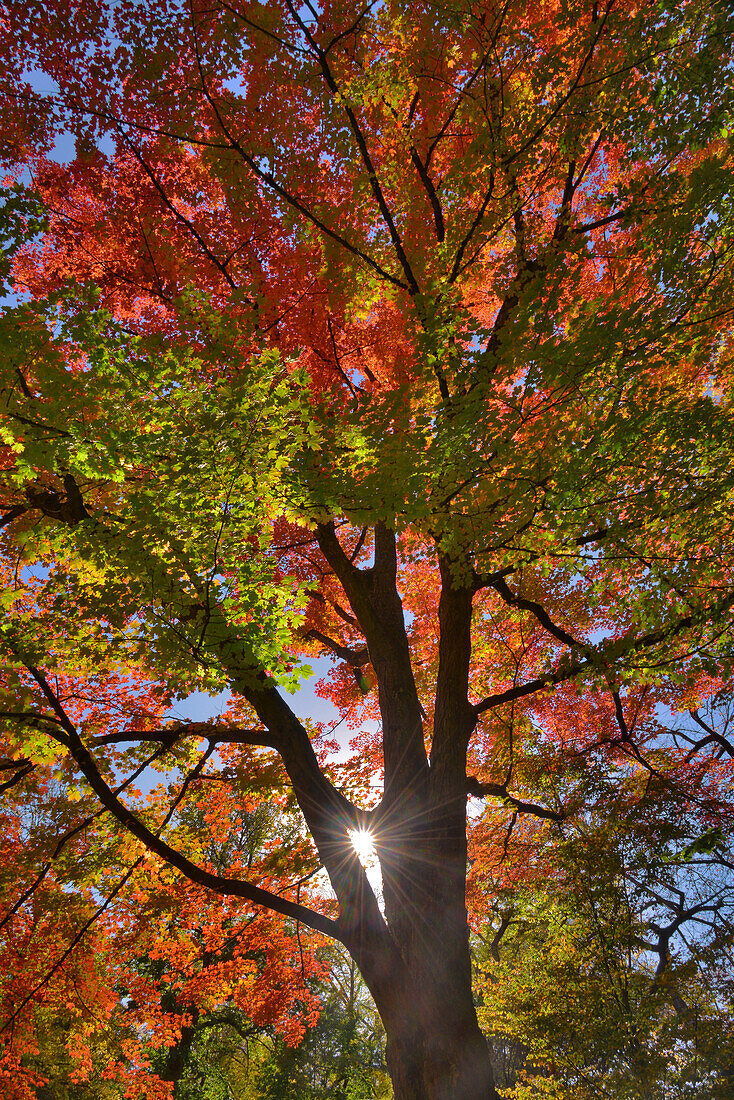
(402,334)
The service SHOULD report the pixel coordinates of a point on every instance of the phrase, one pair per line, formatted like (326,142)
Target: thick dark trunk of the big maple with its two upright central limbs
(418,962)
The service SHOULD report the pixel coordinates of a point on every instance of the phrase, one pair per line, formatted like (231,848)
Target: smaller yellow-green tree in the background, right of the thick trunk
(611,976)
